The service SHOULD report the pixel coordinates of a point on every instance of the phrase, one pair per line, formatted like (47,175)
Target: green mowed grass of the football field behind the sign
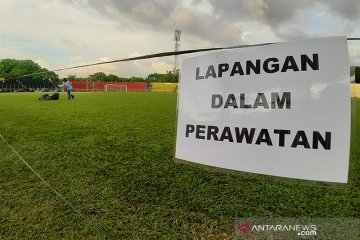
(112,156)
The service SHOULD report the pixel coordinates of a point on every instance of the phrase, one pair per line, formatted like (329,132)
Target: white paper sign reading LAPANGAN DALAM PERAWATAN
(280,109)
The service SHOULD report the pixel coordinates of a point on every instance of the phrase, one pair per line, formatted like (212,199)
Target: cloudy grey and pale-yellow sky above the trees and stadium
(62,33)
